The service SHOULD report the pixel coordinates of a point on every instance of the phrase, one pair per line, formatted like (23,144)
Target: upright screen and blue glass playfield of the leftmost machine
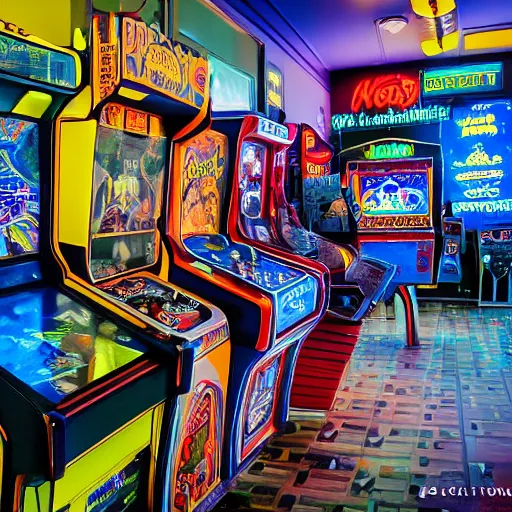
(47,340)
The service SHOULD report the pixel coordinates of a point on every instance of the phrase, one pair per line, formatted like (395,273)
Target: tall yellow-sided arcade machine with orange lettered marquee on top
(109,183)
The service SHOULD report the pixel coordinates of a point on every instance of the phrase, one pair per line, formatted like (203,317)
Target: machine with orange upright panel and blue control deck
(271,303)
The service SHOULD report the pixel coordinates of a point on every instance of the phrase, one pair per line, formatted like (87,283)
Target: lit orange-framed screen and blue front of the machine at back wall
(392,203)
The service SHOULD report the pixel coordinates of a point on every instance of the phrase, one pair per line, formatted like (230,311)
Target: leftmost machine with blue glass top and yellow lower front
(62,363)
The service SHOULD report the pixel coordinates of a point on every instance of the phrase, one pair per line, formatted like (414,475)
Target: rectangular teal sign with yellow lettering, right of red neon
(470,79)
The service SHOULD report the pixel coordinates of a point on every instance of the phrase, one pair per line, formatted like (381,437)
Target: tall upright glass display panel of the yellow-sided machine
(127,191)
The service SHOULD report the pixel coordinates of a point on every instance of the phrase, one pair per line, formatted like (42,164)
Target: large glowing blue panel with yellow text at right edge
(477,150)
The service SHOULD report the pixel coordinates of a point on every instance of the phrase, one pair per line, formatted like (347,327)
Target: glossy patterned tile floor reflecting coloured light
(408,426)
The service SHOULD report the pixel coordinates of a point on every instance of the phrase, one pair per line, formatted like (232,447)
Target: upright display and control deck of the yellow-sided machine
(127,197)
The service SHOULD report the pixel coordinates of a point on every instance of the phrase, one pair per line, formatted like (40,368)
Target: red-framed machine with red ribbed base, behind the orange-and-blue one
(262,215)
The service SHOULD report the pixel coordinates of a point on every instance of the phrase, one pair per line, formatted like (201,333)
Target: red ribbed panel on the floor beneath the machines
(322,360)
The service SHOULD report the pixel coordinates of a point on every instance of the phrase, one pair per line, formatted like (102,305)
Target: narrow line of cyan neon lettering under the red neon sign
(430,114)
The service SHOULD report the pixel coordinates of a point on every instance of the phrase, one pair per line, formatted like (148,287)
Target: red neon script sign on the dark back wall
(384,92)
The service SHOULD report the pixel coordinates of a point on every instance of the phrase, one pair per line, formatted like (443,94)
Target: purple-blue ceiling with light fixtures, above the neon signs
(343,34)
